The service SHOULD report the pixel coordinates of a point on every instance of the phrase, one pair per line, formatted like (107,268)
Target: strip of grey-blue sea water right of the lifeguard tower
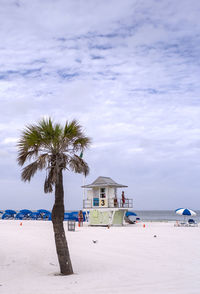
(163,215)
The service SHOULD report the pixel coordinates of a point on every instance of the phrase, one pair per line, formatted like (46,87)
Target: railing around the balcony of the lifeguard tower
(107,203)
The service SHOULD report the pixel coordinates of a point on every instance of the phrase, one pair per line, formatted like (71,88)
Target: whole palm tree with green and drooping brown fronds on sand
(54,148)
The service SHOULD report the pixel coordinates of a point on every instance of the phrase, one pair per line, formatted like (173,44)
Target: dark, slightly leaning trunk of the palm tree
(59,232)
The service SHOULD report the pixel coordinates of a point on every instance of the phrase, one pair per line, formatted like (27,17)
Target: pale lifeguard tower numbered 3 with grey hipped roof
(103,204)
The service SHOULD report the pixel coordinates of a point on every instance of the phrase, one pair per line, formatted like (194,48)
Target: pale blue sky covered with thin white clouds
(128,71)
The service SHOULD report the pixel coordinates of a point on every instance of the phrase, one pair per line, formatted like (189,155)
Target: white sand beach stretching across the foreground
(123,260)
